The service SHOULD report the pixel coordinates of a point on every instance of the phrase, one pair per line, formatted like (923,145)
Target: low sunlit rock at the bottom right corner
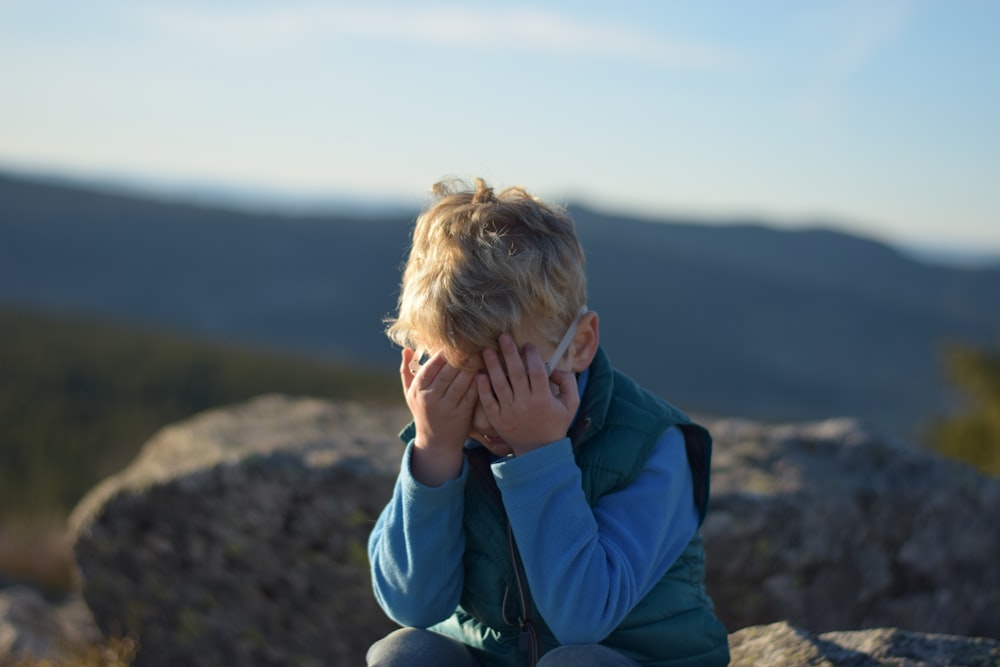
(781,645)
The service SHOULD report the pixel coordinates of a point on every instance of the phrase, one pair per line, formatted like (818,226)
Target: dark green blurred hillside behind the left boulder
(78,398)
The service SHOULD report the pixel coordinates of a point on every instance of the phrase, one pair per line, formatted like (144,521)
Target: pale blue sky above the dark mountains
(880,117)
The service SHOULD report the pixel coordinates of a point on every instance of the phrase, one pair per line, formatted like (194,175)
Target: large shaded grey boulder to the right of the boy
(832,527)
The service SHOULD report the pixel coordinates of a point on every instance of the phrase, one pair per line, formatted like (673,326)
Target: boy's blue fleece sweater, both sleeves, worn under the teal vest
(586,567)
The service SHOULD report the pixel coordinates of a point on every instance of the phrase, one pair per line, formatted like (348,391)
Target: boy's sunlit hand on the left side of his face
(441,399)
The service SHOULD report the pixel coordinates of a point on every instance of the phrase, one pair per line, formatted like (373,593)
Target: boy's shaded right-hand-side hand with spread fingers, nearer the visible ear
(520,403)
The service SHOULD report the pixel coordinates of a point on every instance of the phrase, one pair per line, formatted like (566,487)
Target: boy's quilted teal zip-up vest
(674,625)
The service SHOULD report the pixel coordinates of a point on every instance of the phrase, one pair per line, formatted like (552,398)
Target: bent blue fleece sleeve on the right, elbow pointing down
(587,567)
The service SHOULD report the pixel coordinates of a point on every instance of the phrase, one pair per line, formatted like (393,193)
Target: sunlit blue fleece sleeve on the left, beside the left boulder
(415,549)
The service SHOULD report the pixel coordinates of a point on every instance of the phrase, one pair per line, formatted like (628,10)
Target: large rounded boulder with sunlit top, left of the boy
(238,537)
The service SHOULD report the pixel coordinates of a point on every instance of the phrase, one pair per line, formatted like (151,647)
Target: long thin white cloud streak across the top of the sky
(518,29)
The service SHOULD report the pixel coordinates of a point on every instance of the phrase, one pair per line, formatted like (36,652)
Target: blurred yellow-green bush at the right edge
(973,436)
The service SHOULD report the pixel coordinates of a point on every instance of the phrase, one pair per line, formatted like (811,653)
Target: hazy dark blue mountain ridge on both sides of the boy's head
(740,320)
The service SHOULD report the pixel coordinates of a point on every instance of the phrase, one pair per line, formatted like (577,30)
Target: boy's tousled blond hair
(482,264)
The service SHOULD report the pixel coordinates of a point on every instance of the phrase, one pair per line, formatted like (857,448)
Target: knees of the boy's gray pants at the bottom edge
(410,647)
